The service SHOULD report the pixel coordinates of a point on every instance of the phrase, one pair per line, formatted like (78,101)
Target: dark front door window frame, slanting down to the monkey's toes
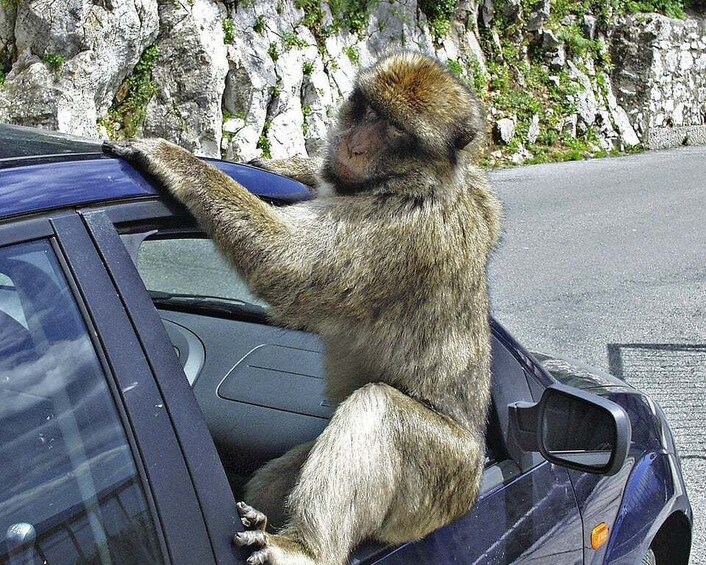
(199,453)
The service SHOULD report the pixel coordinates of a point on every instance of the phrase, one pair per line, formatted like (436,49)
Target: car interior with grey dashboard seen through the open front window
(260,387)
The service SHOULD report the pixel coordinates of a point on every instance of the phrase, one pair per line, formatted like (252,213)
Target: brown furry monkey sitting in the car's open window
(388,265)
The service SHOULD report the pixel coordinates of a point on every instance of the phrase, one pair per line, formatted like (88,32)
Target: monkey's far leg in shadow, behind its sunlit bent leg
(268,488)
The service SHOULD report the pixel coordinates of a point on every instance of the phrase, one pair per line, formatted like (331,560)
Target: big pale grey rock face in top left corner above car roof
(70,58)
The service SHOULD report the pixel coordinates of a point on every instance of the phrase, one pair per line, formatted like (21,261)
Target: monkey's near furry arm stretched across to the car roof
(259,239)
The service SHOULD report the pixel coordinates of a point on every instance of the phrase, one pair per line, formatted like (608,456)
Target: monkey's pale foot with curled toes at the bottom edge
(267,549)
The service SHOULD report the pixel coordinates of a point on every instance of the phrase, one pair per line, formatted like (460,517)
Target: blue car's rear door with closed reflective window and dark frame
(90,466)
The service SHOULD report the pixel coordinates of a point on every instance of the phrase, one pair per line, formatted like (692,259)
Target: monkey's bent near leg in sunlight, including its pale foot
(386,468)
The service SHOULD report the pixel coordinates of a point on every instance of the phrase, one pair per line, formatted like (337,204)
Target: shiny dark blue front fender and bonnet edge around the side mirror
(653,468)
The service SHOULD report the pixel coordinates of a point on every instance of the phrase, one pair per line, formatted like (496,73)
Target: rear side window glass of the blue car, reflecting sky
(70,490)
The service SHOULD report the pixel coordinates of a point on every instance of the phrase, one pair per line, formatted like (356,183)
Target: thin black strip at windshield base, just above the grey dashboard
(218,305)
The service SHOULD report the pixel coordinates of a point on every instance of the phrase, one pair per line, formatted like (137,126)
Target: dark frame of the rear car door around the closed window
(173,504)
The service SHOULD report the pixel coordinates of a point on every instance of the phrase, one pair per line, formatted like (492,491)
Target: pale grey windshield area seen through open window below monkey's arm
(190,266)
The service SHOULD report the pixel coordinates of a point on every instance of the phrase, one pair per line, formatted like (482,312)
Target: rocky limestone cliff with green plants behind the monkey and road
(241,79)
